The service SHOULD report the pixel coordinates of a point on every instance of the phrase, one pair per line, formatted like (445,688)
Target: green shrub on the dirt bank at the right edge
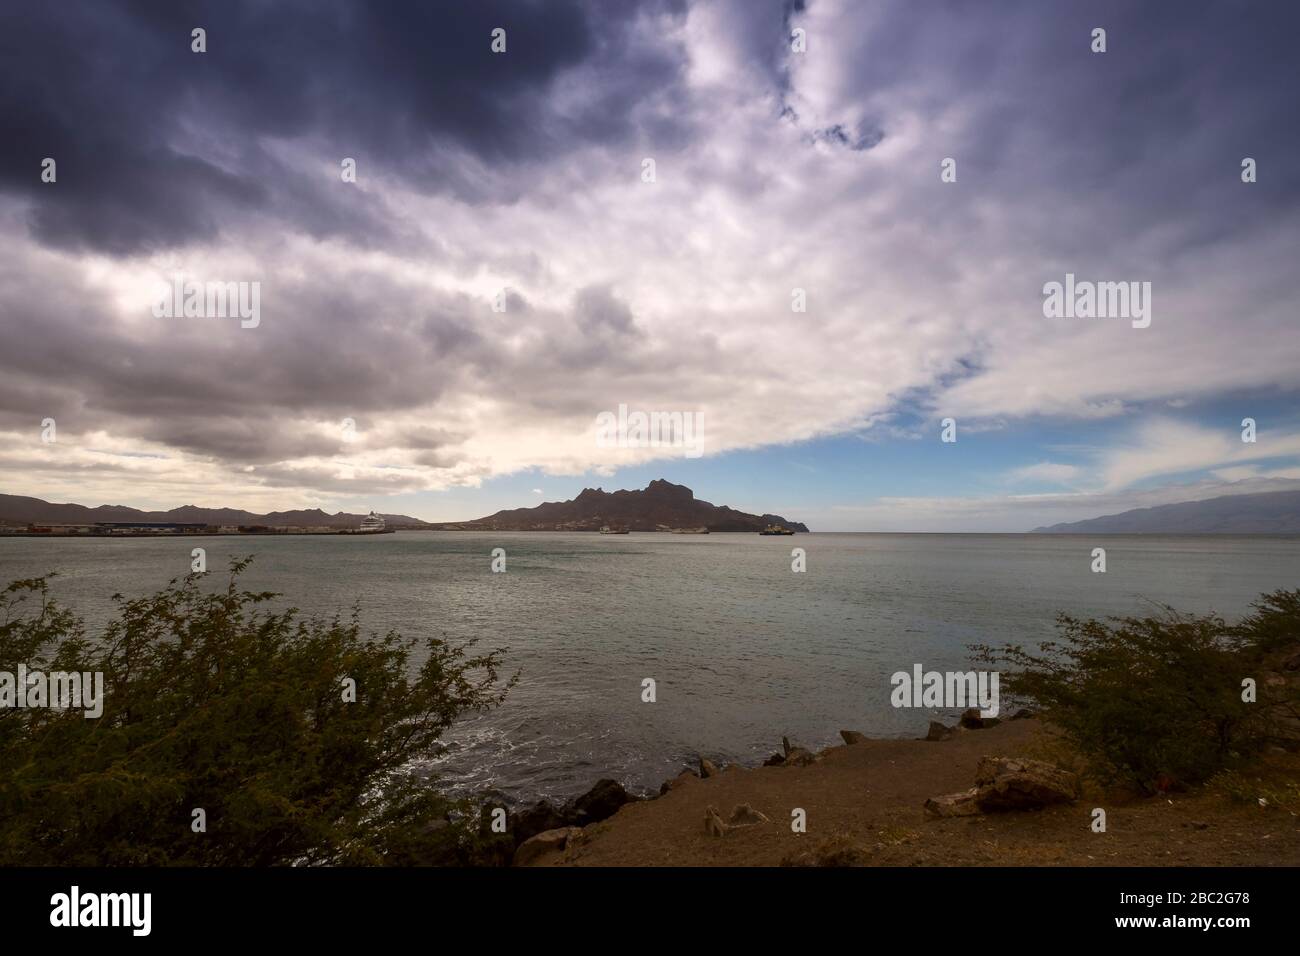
(1158,702)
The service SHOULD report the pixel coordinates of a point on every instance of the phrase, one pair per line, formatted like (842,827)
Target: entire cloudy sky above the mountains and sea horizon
(441,334)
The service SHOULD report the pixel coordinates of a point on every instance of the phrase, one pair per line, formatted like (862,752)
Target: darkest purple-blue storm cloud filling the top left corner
(158,145)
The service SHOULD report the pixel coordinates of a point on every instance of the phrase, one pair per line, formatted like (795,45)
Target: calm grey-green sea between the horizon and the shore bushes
(743,651)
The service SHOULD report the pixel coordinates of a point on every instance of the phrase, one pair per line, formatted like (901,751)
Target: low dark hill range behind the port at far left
(20,511)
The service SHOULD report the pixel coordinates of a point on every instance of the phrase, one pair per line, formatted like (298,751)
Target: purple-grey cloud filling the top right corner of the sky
(1155,128)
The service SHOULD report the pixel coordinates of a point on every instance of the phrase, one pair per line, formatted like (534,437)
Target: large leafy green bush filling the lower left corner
(215,702)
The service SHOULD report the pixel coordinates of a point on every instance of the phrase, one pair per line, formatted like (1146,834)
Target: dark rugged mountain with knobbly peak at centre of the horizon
(658,505)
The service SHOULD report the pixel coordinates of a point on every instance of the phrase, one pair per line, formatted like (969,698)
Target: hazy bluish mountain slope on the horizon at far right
(1271,513)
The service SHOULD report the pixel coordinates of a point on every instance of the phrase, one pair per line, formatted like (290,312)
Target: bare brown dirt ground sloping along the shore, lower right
(865,803)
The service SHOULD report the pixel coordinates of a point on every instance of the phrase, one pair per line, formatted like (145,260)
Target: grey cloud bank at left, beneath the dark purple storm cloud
(215,390)
